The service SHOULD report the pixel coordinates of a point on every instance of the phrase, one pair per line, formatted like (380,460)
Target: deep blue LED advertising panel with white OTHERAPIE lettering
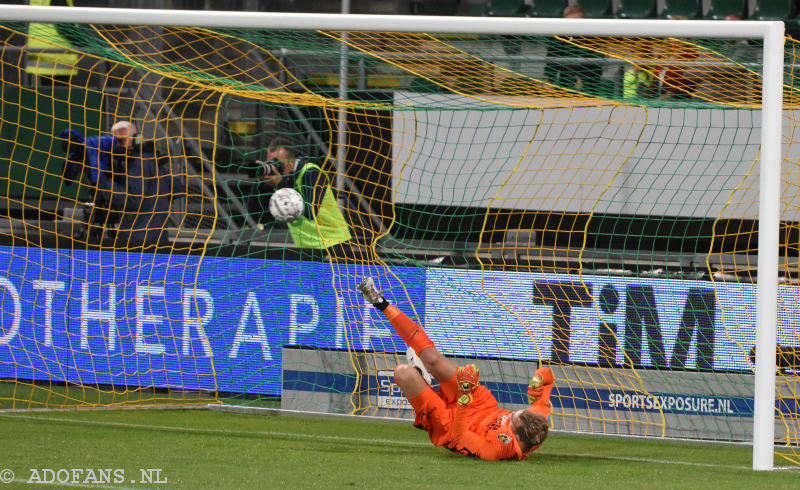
(172,321)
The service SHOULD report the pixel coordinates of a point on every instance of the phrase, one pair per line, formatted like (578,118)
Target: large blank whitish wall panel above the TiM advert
(453,150)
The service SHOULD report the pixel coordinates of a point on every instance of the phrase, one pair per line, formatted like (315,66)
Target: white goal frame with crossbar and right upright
(772,34)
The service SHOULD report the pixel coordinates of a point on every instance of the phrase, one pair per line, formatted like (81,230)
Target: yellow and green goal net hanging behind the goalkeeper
(587,203)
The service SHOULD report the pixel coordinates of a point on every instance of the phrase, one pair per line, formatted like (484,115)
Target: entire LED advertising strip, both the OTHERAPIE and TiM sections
(220,323)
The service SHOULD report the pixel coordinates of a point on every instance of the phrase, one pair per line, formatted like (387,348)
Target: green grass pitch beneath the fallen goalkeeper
(218,449)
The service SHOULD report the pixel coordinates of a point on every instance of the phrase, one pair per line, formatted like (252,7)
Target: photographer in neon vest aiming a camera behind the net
(322,224)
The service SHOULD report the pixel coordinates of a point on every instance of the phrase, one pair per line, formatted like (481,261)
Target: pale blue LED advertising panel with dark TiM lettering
(599,320)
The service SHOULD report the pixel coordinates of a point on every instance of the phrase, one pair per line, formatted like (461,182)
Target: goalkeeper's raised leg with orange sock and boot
(438,365)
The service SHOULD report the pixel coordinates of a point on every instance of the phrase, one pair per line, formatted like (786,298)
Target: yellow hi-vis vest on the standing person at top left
(41,36)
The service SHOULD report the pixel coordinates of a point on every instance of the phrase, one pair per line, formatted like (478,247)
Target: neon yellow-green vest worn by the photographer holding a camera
(328,228)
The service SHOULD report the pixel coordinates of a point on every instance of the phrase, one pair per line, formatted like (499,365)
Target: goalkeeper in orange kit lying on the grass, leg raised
(463,416)
